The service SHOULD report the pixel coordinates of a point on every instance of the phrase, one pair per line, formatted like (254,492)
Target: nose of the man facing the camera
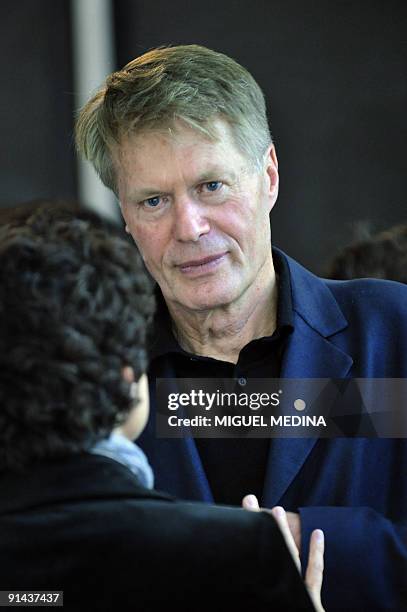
(190,221)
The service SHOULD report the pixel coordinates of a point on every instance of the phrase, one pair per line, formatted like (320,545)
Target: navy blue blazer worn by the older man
(354,489)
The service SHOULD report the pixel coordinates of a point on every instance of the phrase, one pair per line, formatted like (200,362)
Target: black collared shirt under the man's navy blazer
(233,466)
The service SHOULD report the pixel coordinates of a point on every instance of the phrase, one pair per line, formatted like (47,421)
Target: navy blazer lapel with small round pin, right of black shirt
(309,354)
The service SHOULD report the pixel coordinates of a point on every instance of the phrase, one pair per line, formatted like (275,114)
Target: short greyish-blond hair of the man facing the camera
(188,83)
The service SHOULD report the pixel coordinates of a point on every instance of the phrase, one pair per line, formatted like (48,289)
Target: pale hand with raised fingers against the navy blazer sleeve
(289,522)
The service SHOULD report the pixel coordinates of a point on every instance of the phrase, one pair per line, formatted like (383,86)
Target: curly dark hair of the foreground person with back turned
(75,306)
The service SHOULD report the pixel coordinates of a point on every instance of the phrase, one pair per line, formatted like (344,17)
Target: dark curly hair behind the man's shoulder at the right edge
(383,255)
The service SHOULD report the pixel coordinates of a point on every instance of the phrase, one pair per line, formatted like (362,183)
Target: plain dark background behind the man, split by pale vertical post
(334,74)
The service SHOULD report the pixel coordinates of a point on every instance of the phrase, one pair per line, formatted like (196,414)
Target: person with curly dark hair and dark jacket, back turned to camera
(77,509)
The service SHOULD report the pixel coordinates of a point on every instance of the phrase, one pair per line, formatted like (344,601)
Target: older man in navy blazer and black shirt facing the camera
(181,136)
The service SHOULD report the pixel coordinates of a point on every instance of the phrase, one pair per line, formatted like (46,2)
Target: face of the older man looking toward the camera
(198,213)
